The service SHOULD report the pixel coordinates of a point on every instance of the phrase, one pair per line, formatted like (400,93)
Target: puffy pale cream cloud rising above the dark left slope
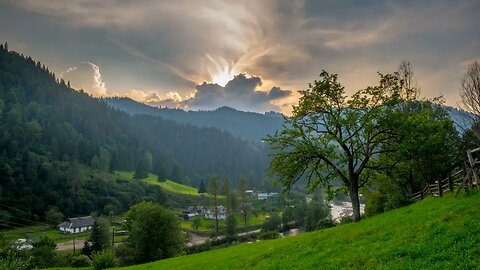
(86,77)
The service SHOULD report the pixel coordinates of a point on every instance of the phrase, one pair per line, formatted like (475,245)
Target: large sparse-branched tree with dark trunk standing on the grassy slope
(332,138)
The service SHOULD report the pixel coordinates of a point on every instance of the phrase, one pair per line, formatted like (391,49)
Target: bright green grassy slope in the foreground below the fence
(437,233)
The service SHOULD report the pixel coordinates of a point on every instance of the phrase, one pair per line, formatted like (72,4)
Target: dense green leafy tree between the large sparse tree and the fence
(425,149)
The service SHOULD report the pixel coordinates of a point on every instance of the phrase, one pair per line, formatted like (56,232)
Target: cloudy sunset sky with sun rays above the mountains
(250,55)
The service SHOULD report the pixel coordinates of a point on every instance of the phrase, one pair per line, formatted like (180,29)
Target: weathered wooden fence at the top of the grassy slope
(468,177)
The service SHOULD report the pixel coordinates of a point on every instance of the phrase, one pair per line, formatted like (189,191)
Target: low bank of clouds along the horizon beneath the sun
(242,92)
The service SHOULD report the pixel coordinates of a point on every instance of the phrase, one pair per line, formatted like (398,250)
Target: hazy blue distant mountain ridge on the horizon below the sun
(247,125)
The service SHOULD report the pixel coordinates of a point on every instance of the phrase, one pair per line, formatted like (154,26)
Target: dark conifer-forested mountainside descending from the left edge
(55,143)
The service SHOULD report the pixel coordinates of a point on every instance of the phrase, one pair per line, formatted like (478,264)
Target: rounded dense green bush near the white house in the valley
(154,233)
